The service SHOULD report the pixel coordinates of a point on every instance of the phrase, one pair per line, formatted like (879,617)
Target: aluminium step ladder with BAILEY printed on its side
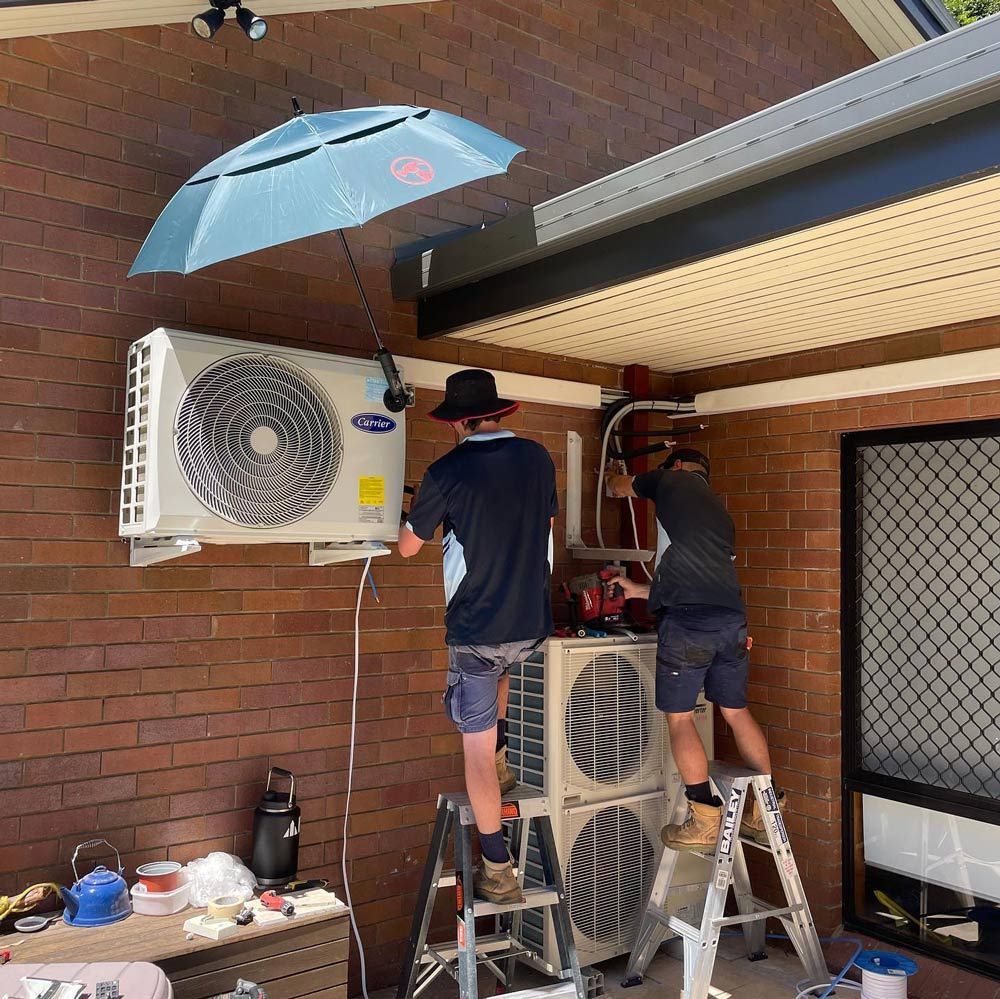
(734,785)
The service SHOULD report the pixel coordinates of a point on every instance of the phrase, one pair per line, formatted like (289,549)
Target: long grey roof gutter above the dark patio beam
(953,73)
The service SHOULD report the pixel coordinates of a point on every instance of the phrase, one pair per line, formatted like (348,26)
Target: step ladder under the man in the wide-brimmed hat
(500,951)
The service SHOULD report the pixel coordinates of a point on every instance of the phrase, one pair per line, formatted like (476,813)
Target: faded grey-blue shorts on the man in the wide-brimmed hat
(474,673)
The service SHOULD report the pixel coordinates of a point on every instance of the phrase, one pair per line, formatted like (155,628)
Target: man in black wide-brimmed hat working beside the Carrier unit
(495,494)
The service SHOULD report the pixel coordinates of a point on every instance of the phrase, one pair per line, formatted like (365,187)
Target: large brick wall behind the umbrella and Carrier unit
(146,705)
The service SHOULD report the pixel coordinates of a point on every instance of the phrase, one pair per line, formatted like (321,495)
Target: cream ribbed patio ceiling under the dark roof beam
(931,260)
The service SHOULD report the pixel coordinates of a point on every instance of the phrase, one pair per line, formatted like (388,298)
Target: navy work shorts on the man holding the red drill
(701,647)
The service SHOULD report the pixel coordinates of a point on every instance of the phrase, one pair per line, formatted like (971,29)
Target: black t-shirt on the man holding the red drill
(697,567)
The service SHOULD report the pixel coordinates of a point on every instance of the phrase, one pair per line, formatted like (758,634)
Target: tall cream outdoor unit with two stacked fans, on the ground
(584,728)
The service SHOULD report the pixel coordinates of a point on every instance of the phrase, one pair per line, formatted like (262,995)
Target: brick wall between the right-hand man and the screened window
(779,470)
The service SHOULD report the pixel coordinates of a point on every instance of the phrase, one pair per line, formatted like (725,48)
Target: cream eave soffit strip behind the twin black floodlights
(40,18)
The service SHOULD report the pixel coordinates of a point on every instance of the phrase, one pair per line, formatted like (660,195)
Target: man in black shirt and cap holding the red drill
(702,629)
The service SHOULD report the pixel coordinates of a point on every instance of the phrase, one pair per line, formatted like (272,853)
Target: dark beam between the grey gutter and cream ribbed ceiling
(957,149)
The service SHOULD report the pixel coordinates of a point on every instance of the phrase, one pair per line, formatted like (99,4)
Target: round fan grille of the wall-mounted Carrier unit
(258,440)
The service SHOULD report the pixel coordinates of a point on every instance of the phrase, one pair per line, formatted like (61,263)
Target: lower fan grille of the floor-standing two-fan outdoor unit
(611,860)
